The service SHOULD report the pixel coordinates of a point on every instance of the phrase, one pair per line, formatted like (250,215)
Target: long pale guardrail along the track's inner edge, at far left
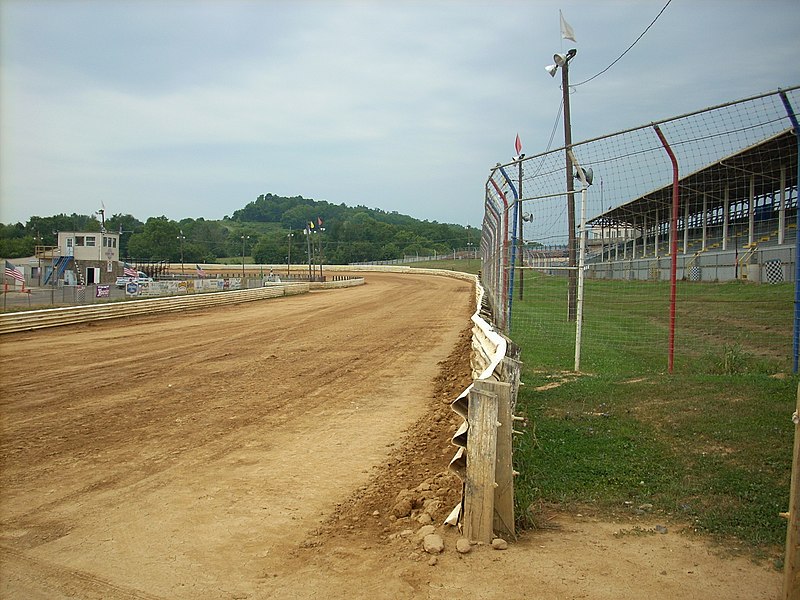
(54,317)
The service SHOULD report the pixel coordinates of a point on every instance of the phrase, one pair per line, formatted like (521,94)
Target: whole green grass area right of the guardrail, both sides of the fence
(708,446)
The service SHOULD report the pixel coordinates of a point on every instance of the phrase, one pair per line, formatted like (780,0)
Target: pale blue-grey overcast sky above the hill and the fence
(192,108)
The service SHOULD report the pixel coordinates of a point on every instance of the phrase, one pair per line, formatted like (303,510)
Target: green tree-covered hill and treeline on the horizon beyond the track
(268,229)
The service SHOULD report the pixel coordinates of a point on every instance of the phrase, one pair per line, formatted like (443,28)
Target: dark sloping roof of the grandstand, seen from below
(762,160)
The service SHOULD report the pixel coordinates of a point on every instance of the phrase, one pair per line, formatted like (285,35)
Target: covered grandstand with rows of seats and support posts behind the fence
(737,218)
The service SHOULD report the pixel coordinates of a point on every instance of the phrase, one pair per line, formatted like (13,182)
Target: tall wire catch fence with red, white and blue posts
(607,288)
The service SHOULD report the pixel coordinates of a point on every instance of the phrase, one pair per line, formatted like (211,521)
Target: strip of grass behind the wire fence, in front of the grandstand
(626,326)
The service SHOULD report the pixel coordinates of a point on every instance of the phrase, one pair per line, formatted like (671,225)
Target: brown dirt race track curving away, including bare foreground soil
(255,451)
